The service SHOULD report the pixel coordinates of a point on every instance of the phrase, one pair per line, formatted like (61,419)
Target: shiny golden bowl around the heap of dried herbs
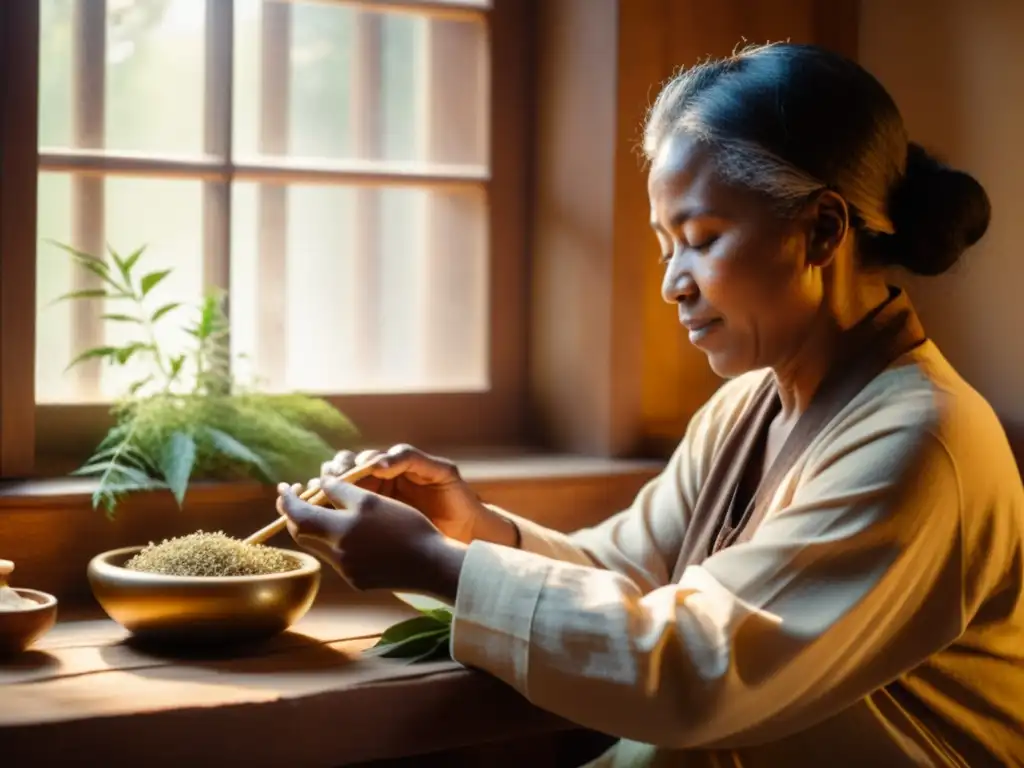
(203,610)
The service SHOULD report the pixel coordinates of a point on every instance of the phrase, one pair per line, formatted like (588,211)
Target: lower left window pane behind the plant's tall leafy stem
(165,216)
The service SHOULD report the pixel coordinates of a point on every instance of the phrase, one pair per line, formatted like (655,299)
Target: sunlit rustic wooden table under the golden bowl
(87,696)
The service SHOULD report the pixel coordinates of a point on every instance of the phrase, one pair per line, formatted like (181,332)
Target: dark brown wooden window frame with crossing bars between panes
(50,440)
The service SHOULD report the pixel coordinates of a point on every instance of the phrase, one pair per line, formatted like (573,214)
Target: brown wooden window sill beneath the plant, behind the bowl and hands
(51,531)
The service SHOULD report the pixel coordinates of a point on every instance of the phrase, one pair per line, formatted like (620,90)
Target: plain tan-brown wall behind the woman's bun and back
(947,64)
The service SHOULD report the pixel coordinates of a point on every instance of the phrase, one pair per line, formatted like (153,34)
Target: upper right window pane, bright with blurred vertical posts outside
(354,84)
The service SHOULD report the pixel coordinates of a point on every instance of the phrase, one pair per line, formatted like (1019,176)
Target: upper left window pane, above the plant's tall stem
(151,55)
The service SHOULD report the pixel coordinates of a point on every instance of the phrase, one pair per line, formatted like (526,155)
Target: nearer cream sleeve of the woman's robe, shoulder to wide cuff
(854,581)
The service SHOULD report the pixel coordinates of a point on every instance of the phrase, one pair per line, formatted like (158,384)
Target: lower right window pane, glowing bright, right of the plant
(361,290)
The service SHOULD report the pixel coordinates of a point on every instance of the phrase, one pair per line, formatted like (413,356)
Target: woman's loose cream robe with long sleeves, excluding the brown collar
(876,619)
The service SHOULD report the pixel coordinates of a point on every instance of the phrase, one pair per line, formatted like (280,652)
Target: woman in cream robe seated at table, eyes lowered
(830,570)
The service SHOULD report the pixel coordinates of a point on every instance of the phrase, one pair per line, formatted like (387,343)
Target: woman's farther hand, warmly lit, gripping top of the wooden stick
(430,485)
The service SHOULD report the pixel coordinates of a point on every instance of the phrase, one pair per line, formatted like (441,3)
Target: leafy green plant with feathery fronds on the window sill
(187,417)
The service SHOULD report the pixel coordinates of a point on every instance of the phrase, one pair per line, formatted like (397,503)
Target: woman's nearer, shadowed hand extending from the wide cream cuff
(373,541)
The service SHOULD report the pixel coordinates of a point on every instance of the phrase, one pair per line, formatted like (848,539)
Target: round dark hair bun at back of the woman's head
(937,212)
